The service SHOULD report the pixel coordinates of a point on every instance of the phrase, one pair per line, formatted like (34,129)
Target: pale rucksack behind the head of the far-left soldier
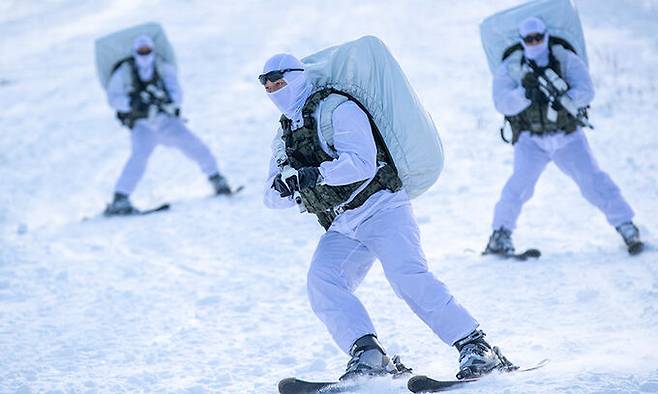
(116,47)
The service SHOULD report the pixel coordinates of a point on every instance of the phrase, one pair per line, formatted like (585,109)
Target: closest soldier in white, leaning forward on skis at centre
(376,223)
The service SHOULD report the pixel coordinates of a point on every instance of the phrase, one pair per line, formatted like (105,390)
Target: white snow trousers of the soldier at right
(572,155)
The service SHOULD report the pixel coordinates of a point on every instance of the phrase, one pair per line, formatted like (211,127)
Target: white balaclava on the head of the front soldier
(291,98)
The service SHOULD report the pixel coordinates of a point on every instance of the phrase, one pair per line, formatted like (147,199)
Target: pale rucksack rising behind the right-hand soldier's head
(500,34)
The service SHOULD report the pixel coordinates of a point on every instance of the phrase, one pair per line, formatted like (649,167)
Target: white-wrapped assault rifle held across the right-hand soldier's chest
(555,89)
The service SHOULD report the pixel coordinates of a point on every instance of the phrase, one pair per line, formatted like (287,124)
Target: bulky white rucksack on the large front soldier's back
(366,70)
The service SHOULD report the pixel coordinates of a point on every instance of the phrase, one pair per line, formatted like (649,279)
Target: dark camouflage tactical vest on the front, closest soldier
(303,149)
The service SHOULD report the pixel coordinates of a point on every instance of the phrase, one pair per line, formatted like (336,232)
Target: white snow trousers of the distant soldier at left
(171,132)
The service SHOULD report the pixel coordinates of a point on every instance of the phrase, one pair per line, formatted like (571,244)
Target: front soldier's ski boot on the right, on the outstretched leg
(478,358)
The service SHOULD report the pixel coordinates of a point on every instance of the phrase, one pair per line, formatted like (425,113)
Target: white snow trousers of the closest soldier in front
(340,263)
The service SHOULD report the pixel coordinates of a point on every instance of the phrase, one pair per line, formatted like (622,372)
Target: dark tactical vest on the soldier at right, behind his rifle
(534,118)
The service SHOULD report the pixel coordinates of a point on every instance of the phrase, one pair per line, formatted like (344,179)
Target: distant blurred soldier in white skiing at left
(145,93)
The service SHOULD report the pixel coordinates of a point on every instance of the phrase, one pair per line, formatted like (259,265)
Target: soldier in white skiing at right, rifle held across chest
(544,131)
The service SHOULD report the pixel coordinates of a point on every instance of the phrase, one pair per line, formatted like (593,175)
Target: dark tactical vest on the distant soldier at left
(128,119)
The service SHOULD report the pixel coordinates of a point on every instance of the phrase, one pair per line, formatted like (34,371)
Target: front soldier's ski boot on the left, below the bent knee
(370,359)
